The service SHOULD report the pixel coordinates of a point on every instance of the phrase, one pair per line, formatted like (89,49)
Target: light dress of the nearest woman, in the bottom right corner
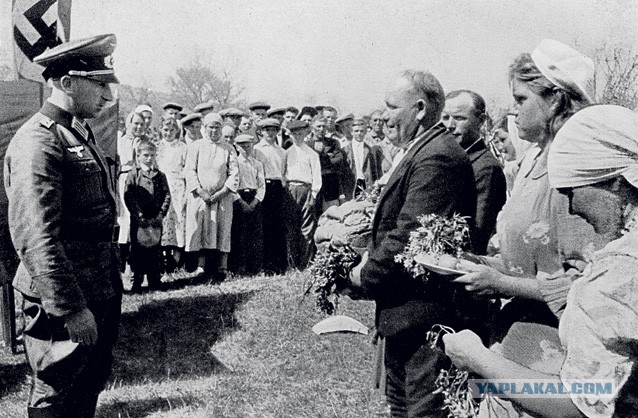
(600,324)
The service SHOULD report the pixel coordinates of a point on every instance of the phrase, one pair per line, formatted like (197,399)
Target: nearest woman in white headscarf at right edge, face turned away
(594,163)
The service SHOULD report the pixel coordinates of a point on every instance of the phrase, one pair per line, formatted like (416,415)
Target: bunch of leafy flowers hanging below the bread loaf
(330,272)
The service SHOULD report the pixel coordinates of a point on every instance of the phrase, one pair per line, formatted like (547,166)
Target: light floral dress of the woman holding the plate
(537,235)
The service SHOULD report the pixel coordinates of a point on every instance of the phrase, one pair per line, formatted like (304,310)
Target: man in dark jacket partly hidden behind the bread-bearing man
(463,116)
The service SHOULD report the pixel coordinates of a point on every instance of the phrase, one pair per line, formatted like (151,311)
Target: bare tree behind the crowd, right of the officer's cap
(198,82)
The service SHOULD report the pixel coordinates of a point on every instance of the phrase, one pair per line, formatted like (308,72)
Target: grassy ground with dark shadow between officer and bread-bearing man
(244,348)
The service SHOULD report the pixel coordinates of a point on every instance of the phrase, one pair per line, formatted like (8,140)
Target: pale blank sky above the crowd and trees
(297,52)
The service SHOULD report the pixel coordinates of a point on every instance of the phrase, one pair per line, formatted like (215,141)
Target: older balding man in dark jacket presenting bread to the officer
(434,176)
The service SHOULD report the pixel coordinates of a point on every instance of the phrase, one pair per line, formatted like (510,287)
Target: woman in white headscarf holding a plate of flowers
(537,237)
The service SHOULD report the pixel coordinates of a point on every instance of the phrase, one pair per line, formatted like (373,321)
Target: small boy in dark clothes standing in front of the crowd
(147,198)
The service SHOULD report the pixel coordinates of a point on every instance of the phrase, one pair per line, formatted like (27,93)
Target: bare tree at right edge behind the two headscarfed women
(617,77)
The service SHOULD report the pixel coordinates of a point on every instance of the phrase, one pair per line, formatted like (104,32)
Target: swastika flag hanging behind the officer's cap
(37,26)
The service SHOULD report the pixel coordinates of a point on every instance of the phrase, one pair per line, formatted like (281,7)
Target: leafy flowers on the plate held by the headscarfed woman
(437,235)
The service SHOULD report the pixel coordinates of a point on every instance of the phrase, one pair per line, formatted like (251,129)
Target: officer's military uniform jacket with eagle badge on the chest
(61,213)
